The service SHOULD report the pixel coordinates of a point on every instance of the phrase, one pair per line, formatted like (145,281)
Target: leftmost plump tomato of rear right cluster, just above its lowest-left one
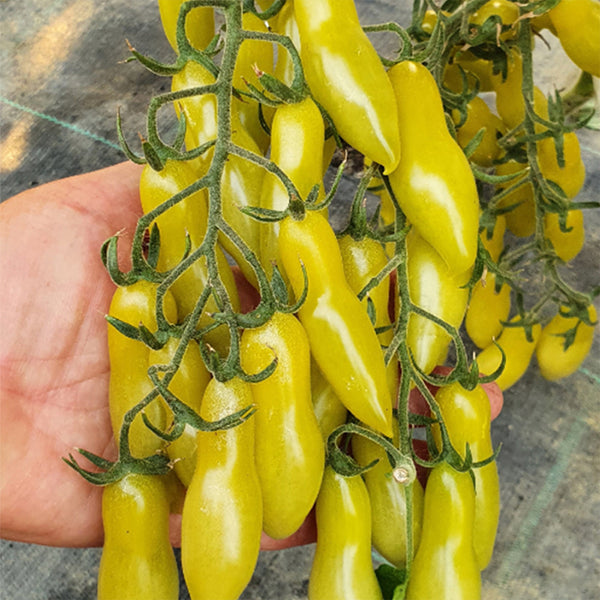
(486,311)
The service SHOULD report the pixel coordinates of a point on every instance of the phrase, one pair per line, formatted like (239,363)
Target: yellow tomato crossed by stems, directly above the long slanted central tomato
(297,136)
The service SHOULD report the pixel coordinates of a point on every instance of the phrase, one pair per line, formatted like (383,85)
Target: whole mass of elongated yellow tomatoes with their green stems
(243,416)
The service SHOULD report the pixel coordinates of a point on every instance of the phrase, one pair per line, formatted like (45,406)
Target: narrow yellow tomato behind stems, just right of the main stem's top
(252,54)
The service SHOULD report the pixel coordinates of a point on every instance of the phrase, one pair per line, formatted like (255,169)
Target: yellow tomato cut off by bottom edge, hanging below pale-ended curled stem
(342,568)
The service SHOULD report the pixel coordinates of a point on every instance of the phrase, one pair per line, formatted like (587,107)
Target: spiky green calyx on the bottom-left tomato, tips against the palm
(156,464)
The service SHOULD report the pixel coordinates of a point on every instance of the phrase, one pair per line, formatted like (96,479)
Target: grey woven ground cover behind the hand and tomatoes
(63,77)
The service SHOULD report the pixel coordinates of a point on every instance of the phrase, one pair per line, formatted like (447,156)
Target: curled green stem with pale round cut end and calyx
(403,468)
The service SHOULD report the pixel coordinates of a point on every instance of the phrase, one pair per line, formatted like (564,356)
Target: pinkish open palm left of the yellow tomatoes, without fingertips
(54,361)
